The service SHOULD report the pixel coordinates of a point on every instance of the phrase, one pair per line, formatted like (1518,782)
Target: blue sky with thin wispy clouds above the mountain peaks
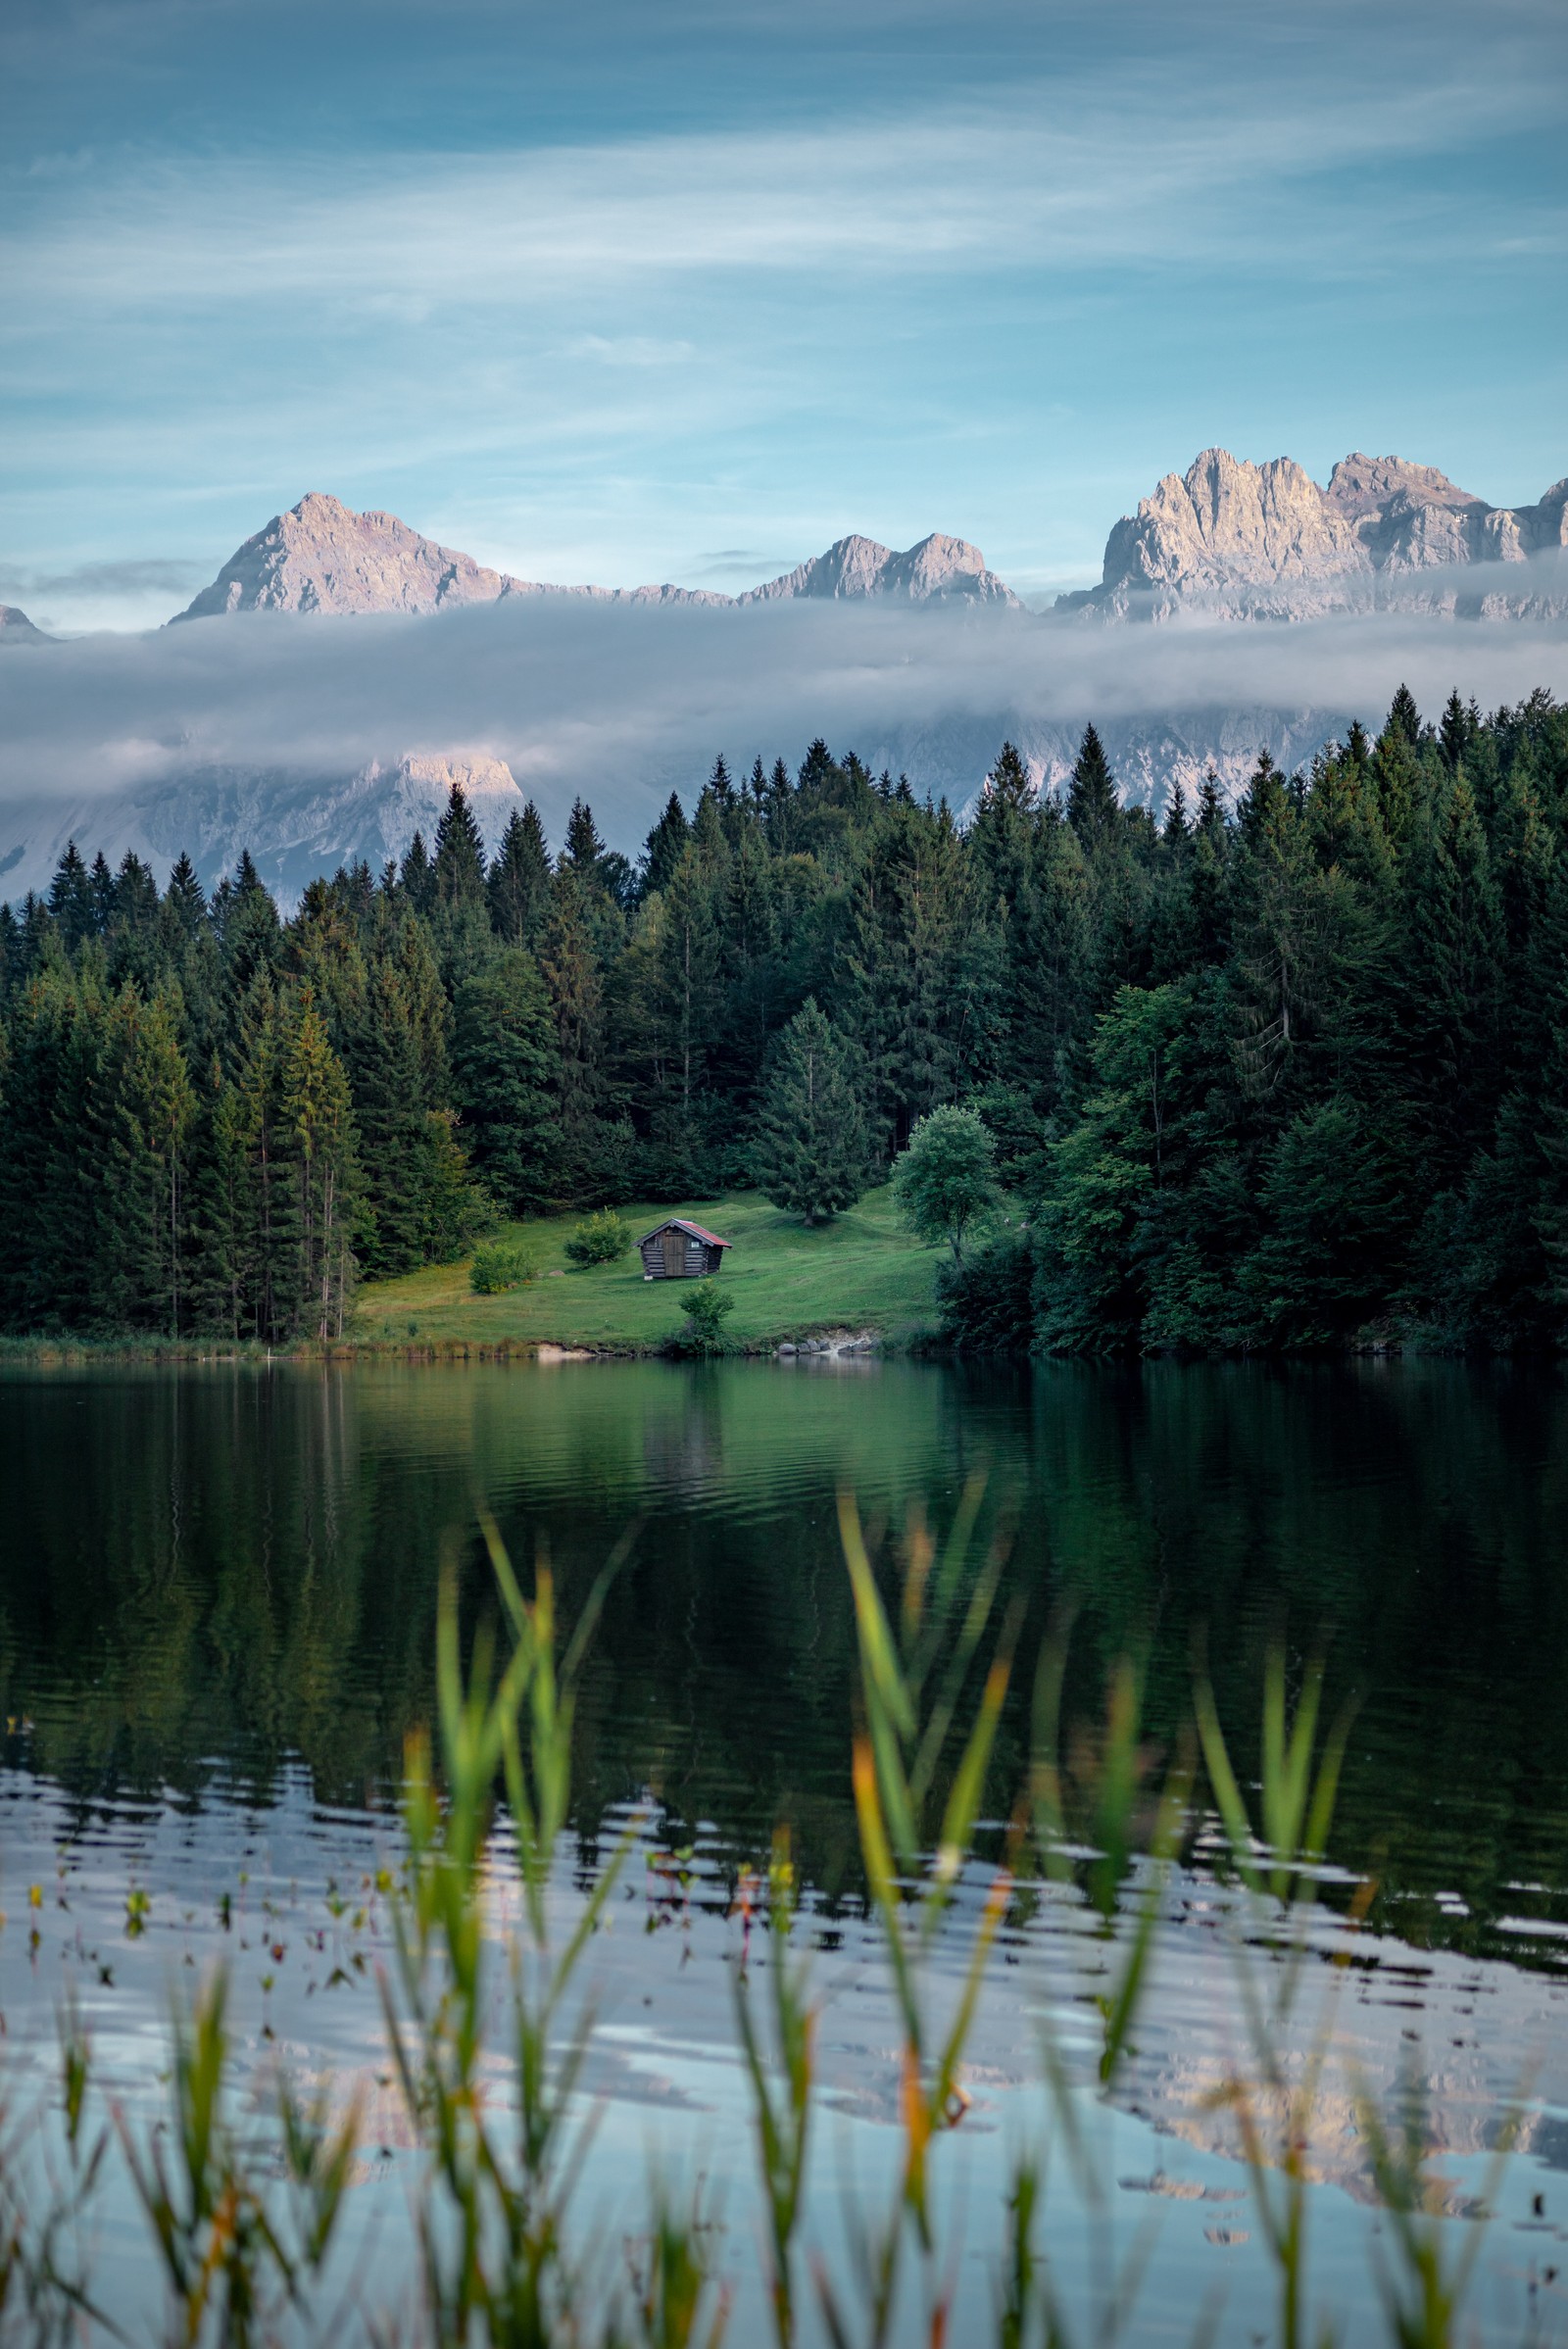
(626,292)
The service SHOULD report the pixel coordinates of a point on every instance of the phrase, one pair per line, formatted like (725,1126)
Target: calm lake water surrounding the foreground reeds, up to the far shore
(217,1606)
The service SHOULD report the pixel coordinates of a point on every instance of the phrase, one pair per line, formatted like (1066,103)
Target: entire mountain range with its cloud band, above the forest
(311,748)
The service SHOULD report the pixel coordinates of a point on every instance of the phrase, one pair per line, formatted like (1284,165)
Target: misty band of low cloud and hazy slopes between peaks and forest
(623,706)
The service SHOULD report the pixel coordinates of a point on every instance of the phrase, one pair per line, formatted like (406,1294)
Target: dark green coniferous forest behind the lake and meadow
(1269,1077)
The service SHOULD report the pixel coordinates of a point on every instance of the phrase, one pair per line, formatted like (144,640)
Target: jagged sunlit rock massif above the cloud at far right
(1266,541)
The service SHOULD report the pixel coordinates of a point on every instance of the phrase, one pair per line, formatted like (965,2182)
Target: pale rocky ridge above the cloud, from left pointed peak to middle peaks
(327,558)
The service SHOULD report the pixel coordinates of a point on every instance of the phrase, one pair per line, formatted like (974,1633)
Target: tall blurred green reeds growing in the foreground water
(489,2024)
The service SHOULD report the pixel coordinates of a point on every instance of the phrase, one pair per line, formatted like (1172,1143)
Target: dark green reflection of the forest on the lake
(231,1568)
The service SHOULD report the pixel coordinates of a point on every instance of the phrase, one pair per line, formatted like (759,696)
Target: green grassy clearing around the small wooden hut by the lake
(860,1272)
